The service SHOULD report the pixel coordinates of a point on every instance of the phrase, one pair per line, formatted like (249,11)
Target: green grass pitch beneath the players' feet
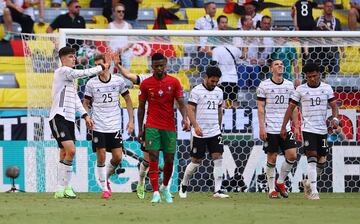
(198,208)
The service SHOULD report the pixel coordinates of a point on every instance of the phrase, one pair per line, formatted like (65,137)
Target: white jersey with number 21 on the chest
(207,104)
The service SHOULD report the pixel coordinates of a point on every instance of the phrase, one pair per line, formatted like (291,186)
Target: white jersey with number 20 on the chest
(276,97)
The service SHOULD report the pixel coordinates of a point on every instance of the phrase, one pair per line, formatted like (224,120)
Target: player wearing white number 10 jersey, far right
(314,98)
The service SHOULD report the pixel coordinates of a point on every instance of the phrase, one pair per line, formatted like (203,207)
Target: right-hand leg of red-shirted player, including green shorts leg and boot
(168,145)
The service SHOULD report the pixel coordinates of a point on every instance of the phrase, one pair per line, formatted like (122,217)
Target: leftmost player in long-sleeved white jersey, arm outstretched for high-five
(62,115)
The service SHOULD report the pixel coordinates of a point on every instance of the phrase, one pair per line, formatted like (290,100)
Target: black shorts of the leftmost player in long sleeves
(62,130)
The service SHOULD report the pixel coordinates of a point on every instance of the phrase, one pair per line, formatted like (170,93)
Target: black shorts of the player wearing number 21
(200,145)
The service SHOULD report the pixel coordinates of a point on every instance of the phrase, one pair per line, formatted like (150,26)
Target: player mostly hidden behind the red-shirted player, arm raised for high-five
(144,165)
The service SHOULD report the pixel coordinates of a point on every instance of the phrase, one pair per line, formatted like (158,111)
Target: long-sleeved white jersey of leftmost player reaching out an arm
(65,99)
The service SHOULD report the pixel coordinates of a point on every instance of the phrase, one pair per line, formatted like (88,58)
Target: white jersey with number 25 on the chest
(105,97)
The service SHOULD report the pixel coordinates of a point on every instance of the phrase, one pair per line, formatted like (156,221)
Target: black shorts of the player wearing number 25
(108,141)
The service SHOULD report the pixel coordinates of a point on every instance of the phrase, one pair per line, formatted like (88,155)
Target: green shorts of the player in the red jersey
(156,139)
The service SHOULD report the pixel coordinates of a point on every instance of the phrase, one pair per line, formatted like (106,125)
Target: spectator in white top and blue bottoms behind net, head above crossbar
(248,70)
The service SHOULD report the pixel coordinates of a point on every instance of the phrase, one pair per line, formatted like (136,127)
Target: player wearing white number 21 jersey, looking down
(205,114)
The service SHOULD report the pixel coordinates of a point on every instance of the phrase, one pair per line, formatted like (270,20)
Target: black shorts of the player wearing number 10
(316,142)
